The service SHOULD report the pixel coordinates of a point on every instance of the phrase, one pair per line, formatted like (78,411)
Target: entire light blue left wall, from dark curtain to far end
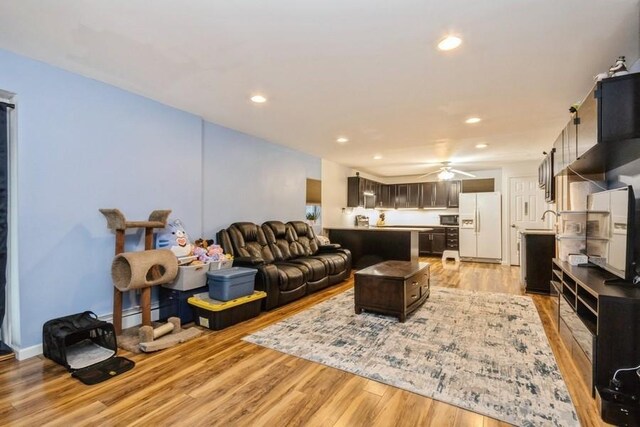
(85,145)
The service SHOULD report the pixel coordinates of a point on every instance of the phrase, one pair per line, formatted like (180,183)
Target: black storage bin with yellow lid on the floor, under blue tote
(217,315)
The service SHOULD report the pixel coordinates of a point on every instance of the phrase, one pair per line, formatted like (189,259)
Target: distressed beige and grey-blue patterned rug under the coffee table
(481,351)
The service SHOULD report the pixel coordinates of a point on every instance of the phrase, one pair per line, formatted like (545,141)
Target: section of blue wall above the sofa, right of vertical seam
(248,179)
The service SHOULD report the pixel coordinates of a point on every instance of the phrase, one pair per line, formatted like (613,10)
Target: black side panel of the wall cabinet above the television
(618,108)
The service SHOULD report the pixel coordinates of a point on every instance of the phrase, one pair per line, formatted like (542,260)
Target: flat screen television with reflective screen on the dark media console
(610,233)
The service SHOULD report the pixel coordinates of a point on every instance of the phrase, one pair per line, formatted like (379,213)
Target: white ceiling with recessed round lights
(366,69)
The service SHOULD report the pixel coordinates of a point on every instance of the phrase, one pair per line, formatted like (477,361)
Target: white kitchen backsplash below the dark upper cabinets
(398,217)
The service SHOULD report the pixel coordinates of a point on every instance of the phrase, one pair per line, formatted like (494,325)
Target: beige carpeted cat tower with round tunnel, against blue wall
(139,271)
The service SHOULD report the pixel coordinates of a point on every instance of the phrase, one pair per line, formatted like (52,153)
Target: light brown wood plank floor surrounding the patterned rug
(218,379)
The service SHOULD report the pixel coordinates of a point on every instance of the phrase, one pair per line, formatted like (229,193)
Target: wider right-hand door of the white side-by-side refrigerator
(489,225)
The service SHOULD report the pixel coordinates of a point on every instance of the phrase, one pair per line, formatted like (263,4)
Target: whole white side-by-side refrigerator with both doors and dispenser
(481,226)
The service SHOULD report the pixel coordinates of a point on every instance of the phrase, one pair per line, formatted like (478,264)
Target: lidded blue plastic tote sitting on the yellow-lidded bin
(231,283)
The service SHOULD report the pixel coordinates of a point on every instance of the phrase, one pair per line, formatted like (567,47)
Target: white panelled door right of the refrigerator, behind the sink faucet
(526,205)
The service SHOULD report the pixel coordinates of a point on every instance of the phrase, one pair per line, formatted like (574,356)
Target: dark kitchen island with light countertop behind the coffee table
(371,245)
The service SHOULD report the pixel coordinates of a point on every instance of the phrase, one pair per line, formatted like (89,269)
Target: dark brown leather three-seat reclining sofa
(290,260)
